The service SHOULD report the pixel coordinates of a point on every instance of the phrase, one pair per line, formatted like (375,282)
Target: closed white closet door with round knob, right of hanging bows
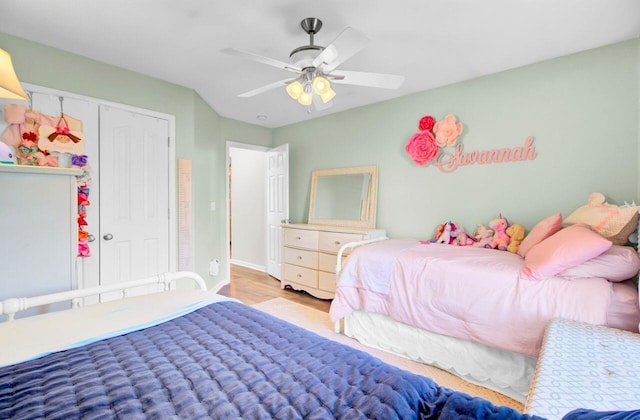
(134,187)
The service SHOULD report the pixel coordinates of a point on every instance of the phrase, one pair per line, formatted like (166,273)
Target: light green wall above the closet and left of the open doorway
(201,134)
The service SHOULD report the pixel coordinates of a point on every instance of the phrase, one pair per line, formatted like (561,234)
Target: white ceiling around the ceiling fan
(431,42)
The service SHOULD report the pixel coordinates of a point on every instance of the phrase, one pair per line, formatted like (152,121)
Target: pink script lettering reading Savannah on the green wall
(450,161)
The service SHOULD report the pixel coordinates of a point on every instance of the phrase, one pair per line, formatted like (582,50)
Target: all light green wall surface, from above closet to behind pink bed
(582,109)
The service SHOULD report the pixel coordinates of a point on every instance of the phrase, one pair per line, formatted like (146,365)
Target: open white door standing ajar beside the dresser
(277,205)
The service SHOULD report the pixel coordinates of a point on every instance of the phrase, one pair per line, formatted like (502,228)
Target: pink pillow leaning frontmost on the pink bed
(565,249)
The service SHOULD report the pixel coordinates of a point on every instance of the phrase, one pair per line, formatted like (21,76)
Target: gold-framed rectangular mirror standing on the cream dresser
(344,197)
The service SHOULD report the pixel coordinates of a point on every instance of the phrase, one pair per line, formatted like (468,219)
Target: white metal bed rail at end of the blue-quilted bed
(11,306)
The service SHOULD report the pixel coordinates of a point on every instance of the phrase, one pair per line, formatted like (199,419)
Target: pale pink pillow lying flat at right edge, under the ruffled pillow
(618,263)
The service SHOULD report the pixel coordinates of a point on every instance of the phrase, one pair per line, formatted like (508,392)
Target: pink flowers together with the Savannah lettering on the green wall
(429,144)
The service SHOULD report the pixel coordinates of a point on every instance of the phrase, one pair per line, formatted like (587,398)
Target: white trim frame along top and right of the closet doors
(173,210)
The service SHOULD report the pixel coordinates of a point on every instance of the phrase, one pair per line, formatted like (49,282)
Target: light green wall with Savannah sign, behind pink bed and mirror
(582,110)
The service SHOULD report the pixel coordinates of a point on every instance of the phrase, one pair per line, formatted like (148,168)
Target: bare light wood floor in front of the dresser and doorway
(251,287)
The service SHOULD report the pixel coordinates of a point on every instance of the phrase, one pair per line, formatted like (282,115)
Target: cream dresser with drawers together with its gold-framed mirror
(342,210)
